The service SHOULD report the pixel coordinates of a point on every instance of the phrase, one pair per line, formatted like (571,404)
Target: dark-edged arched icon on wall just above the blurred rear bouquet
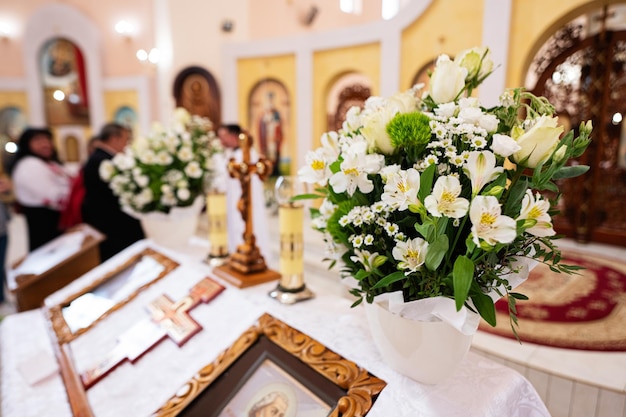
(196,90)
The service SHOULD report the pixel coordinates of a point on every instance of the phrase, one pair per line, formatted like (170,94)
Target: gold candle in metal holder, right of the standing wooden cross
(291,287)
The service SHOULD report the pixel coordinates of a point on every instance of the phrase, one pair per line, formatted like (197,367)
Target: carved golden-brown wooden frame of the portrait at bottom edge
(357,388)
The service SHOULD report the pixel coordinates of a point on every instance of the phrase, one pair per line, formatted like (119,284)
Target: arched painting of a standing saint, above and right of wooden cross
(269,109)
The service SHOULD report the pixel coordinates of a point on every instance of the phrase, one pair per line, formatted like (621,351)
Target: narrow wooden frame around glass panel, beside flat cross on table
(55,312)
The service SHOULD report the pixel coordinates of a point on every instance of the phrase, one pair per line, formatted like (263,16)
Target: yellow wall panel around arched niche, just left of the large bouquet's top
(329,66)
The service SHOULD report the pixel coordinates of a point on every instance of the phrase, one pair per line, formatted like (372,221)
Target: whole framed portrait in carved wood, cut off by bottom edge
(273,368)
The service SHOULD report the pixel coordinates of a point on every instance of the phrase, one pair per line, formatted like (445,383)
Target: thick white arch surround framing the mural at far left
(60,20)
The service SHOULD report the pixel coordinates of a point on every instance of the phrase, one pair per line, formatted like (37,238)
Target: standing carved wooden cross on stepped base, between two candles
(247,266)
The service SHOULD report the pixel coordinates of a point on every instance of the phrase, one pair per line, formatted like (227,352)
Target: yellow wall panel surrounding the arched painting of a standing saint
(282,68)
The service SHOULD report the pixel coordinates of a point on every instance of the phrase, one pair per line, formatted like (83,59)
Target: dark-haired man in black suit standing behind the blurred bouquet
(101,208)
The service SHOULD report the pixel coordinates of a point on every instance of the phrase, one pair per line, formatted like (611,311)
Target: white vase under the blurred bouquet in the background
(173,229)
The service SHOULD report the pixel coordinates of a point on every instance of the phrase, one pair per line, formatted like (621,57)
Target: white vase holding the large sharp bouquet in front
(425,351)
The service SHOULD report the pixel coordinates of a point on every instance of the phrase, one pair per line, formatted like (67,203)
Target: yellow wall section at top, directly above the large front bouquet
(446,27)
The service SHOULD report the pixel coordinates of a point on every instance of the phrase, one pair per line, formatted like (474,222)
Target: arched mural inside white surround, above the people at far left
(64,81)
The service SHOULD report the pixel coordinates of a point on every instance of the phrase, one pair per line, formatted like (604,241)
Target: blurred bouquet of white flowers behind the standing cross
(169,168)
